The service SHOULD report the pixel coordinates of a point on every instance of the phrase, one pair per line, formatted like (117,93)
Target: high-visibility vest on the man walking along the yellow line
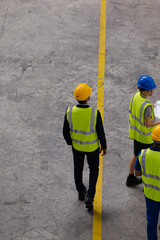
(82,122)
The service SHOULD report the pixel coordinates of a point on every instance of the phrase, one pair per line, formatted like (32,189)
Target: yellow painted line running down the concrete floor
(97,211)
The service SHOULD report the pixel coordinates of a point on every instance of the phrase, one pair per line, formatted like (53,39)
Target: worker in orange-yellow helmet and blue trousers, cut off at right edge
(148,165)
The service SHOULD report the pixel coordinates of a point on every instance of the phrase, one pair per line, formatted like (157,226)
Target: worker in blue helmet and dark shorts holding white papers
(141,122)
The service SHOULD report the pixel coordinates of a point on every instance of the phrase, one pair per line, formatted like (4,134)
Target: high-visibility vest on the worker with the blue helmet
(137,128)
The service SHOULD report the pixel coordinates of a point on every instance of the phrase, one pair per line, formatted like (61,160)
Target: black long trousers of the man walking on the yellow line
(93,163)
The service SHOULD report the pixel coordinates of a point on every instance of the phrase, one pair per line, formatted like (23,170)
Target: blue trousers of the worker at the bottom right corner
(152,213)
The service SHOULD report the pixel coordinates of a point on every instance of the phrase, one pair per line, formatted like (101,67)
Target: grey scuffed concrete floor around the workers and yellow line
(46,49)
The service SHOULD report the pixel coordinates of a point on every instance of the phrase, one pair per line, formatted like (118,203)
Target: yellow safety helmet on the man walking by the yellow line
(82,92)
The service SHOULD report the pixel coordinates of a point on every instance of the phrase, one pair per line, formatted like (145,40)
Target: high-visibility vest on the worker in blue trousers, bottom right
(150,167)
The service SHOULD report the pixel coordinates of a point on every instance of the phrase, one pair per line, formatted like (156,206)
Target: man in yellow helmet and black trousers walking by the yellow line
(83,129)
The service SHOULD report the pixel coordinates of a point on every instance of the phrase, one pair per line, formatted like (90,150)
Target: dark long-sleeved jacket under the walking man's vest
(99,129)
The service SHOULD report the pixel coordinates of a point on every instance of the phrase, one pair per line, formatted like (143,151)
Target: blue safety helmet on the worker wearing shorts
(146,82)
